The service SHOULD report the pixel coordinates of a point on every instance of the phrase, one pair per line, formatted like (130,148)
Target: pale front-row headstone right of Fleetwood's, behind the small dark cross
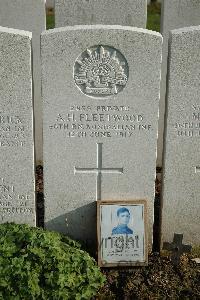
(181,188)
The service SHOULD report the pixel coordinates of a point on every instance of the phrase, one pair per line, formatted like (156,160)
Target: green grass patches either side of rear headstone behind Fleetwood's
(153,19)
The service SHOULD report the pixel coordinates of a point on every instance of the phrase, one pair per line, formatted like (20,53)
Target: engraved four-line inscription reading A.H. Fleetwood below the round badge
(101,122)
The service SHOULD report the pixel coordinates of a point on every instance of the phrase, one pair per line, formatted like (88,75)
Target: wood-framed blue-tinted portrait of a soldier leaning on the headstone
(122,233)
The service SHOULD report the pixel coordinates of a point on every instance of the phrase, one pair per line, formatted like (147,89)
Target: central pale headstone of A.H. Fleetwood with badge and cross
(100,121)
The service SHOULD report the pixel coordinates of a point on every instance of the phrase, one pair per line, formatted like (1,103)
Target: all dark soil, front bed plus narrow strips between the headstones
(159,281)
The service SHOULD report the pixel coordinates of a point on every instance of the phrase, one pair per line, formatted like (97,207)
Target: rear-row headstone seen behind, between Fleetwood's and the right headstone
(175,14)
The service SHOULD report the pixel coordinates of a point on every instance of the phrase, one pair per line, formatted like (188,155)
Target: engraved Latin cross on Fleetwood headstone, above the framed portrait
(99,170)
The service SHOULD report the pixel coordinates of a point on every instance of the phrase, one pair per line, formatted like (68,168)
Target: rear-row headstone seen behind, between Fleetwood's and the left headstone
(29,15)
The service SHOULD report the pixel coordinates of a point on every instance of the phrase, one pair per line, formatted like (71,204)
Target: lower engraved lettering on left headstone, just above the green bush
(12,202)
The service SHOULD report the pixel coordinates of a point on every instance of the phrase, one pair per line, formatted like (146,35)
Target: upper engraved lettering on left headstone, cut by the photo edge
(12,131)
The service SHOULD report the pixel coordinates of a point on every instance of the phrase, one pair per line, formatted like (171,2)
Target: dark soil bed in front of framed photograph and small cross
(160,280)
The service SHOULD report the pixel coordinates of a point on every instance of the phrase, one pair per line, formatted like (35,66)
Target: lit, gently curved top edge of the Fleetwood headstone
(103,27)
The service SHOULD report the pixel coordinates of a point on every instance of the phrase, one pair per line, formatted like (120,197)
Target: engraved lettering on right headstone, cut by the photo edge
(191,127)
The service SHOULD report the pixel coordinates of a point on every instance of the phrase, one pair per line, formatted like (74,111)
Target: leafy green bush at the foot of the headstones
(39,264)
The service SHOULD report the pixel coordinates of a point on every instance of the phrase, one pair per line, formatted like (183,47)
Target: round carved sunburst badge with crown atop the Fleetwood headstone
(101,71)
